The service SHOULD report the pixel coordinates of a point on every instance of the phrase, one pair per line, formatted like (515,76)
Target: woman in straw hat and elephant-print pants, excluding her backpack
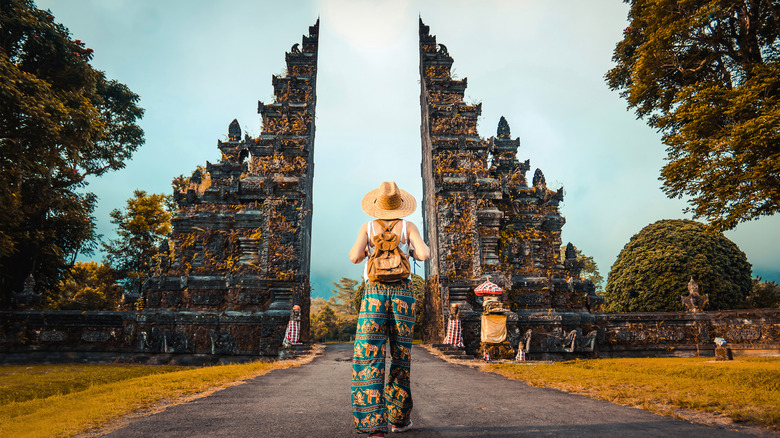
(386,314)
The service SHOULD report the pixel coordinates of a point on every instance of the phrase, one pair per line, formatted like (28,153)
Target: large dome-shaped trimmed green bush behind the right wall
(653,269)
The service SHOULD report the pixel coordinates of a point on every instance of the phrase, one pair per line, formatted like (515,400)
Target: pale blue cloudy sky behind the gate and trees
(199,64)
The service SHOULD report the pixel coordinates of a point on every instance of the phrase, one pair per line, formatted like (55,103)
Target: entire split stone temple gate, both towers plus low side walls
(239,255)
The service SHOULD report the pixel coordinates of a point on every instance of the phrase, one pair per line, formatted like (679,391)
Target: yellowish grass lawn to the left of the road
(65,400)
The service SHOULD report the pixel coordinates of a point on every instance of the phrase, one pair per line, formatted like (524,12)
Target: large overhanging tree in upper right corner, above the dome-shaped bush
(706,73)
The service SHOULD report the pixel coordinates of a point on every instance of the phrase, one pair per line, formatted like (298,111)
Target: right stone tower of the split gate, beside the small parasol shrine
(482,218)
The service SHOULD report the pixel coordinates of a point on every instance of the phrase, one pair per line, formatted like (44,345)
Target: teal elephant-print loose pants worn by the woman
(386,313)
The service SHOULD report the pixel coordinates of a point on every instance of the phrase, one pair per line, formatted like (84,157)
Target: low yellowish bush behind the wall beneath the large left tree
(88,286)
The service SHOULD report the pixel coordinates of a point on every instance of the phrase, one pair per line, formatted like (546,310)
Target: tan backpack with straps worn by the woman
(387,263)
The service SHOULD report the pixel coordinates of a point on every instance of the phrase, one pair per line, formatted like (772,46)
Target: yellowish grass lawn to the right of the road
(745,390)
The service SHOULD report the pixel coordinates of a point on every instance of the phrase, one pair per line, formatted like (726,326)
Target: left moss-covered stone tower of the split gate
(239,255)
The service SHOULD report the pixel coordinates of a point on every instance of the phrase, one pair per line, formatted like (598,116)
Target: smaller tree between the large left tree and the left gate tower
(141,227)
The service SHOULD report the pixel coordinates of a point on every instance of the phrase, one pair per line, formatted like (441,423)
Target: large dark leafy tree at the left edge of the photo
(60,122)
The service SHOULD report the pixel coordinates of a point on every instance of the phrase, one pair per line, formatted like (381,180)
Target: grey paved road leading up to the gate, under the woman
(450,401)
